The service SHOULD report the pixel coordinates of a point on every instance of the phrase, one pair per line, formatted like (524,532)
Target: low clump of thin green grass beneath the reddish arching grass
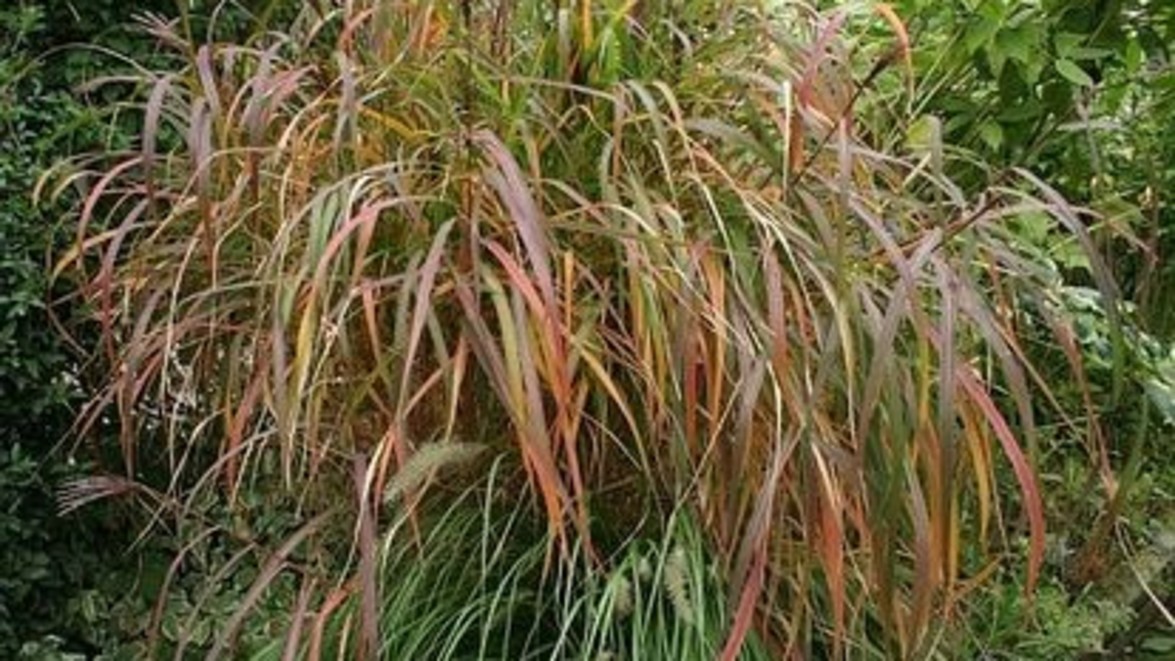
(473,585)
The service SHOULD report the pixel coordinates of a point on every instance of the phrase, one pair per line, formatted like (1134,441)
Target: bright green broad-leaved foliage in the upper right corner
(1083,93)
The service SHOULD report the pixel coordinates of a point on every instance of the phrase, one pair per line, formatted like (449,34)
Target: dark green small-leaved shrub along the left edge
(46,562)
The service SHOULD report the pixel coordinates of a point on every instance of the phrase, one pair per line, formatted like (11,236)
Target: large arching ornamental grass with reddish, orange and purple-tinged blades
(647,249)
